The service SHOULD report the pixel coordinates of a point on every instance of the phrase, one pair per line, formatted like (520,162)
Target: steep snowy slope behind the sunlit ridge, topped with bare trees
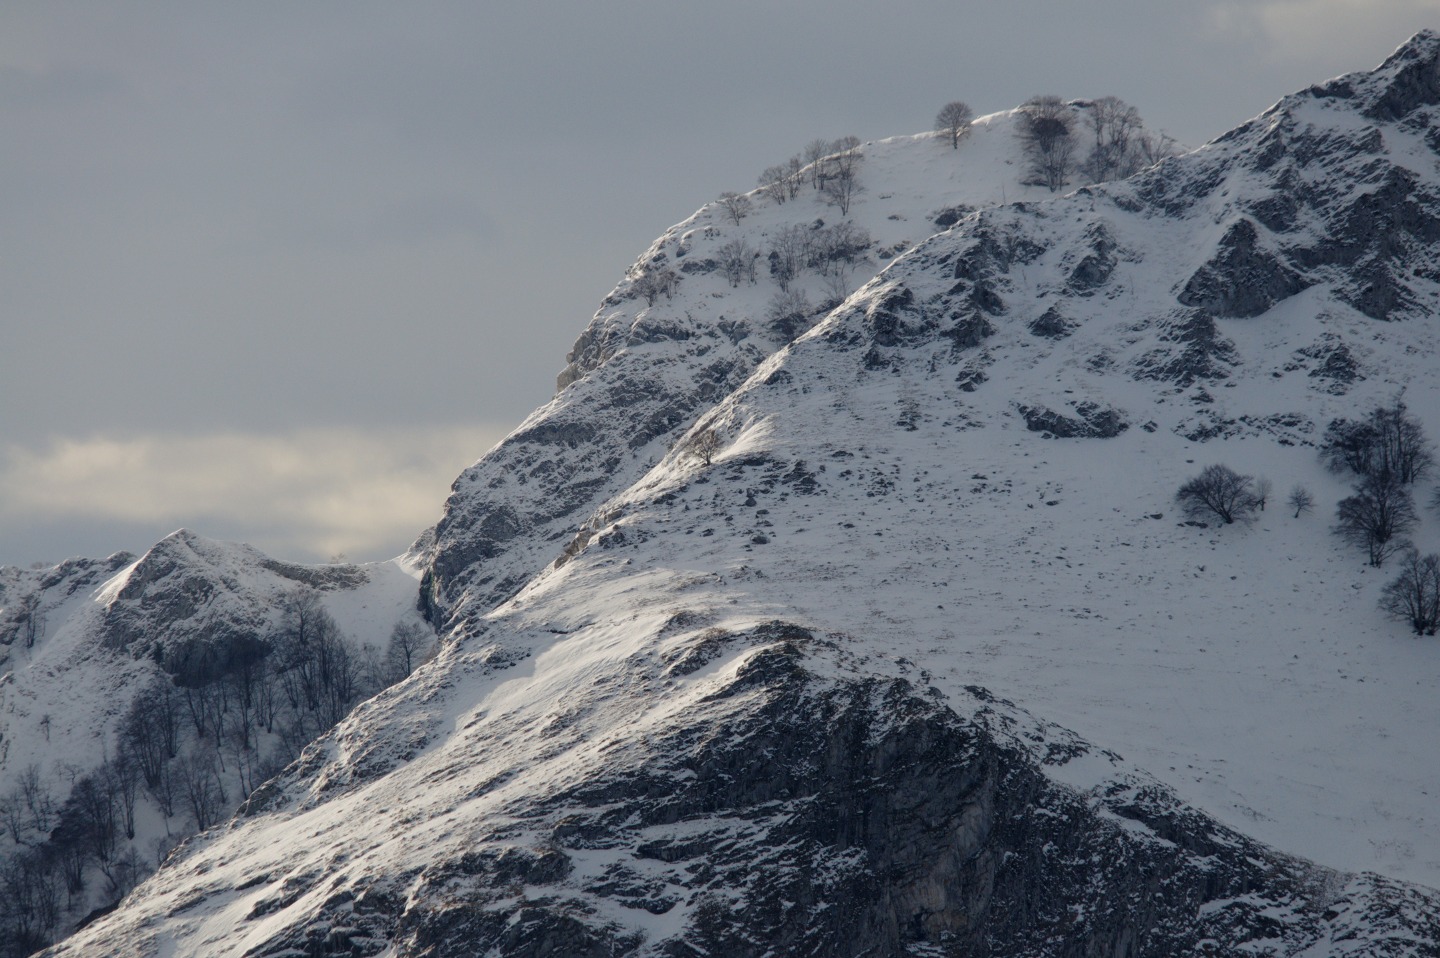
(644,368)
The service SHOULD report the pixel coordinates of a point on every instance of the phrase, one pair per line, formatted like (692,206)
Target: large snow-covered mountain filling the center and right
(876,630)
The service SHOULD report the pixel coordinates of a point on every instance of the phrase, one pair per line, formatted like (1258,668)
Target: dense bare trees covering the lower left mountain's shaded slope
(225,718)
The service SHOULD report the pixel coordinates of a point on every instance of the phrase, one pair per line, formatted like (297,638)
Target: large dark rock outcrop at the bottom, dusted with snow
(845,816)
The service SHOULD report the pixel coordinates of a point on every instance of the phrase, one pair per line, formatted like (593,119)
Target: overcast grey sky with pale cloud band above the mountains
(277,272)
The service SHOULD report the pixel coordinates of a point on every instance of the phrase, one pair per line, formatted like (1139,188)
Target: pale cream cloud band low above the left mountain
(306,495)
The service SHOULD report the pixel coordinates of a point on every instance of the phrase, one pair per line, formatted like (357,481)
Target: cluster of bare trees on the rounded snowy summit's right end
(1052,133)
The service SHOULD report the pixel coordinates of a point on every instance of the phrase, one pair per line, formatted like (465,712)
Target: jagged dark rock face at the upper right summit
(1341,204)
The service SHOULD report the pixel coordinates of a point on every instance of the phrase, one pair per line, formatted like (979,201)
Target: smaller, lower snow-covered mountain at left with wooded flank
(140,702)
